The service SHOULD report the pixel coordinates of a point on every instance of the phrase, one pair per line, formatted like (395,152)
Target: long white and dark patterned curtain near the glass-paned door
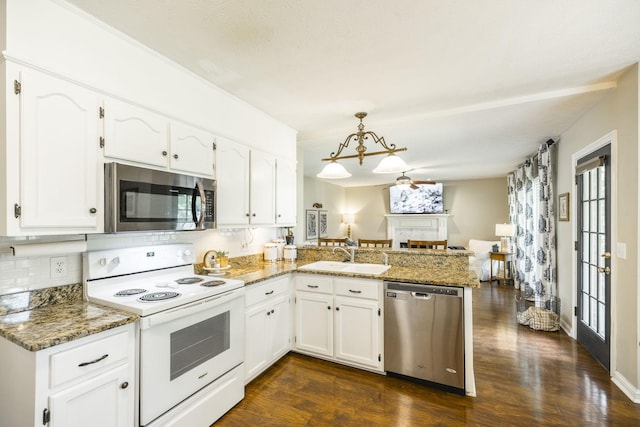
(531,208)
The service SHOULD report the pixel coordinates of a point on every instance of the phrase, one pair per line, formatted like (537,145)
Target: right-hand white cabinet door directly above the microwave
(191,150)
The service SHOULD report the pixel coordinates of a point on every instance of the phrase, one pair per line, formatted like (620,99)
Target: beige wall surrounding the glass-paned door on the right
(617,111)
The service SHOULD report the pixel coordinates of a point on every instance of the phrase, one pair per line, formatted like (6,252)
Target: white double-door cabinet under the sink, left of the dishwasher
(340,319)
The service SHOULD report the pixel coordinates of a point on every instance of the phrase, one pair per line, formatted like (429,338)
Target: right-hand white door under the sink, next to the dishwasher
(357,331)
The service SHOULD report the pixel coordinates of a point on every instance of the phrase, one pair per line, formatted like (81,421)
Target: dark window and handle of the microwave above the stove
(143,202)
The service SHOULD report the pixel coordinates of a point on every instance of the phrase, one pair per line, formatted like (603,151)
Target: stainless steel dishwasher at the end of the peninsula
(424,333)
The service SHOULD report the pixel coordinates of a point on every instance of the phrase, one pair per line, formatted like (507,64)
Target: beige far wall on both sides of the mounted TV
(475,207)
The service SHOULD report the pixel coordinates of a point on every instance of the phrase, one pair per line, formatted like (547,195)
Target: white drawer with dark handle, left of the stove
(88,358)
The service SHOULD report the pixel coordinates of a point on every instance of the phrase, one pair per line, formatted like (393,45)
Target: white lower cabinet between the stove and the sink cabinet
(267,325)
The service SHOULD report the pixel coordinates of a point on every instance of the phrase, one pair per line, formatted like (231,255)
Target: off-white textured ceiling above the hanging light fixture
(470,87)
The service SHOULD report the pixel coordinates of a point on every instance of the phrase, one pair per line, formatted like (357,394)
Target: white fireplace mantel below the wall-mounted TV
(401,227)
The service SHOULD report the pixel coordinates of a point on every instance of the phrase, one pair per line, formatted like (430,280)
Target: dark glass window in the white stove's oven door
(198,343)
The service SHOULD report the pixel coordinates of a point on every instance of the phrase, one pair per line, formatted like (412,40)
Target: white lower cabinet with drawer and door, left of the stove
(86,382)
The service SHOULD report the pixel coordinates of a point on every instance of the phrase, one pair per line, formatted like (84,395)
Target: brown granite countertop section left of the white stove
(50,320)
